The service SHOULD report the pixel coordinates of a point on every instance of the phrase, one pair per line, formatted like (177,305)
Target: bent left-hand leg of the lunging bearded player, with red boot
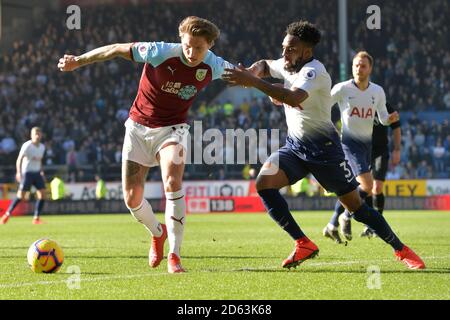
(281,169)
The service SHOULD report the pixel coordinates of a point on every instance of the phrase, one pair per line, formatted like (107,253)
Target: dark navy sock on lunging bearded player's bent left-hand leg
(278,209)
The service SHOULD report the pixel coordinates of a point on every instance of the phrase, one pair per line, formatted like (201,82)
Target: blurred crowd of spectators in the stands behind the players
(82,113)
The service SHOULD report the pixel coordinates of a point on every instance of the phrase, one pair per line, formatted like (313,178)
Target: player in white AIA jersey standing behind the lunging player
(359,100)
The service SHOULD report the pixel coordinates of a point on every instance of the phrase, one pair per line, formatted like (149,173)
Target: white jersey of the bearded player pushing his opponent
(312,121)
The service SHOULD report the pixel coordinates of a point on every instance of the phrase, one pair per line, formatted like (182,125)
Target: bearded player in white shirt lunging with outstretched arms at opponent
(313,144)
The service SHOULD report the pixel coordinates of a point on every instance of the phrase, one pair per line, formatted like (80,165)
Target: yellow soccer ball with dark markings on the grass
(45,256)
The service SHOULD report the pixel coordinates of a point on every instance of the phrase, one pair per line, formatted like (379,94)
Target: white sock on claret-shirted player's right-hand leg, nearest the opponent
(175,219)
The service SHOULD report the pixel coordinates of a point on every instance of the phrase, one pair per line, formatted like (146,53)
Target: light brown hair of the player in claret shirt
(199,27)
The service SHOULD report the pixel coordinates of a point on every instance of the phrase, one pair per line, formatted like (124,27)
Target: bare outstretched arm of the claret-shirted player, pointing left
(71,62)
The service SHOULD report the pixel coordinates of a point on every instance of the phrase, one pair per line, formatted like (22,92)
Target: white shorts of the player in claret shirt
(141,144)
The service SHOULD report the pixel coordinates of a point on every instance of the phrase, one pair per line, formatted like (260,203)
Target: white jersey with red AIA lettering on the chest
(358,109)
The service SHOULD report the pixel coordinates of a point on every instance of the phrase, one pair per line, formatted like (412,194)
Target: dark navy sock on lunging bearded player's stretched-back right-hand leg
(376,221)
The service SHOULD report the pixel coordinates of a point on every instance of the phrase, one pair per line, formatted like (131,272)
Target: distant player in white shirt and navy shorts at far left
(29,173)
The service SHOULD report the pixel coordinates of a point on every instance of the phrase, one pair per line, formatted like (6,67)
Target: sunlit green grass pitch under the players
(227,256)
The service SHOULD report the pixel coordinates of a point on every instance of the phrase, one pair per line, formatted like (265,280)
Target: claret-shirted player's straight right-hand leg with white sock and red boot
(172,161)
